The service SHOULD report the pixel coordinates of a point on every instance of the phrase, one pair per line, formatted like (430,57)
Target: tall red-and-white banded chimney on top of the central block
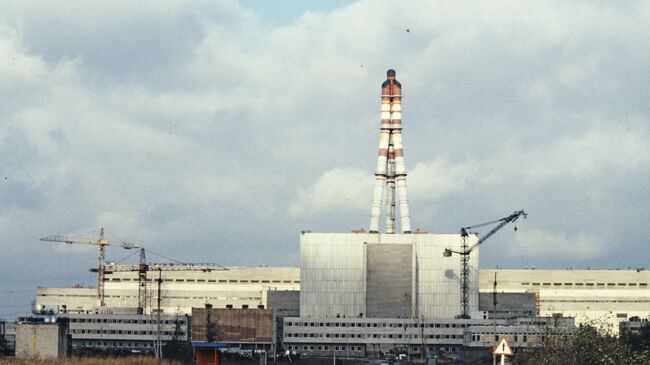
(391,171)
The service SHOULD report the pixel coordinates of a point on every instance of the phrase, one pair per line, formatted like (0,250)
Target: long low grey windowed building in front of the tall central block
(362,337)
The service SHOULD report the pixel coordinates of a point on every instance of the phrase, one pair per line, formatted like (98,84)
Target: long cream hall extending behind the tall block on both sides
(603,295)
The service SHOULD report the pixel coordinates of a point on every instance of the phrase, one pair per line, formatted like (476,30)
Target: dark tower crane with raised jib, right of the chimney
(466,250)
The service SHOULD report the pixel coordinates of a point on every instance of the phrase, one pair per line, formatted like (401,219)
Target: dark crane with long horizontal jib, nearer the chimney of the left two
(143,268)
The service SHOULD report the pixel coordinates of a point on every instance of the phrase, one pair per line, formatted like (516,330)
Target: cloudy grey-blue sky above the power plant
(216,131)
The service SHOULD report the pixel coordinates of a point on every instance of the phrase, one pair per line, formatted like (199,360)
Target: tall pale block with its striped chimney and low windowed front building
(366,293)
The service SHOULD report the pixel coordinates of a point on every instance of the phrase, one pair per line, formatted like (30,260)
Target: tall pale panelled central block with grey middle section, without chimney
(350,275)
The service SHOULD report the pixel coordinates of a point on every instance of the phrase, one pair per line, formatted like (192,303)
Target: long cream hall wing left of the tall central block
(181,290)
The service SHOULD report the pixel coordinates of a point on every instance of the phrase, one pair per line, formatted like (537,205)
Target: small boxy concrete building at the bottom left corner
(42,340)
